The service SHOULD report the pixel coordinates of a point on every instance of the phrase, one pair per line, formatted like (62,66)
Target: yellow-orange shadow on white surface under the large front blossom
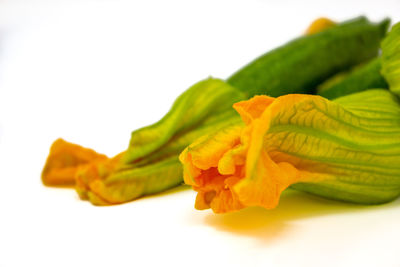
(265,224)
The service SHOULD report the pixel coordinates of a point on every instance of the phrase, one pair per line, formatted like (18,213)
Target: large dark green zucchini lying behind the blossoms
(302,64)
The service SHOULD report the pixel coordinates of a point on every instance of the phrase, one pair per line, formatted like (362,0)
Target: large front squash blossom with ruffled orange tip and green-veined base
(347,149)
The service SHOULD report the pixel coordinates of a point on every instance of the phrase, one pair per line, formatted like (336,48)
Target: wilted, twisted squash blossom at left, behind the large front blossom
(105,181)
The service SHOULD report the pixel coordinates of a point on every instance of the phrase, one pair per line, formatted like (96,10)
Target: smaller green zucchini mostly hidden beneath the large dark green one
(365,77)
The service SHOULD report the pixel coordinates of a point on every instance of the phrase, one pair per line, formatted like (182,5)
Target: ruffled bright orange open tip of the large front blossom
(236,167)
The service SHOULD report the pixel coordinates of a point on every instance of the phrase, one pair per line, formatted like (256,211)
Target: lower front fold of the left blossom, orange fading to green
(105,183)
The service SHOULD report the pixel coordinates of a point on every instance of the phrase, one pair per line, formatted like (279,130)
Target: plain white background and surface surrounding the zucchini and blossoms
(93,71)
